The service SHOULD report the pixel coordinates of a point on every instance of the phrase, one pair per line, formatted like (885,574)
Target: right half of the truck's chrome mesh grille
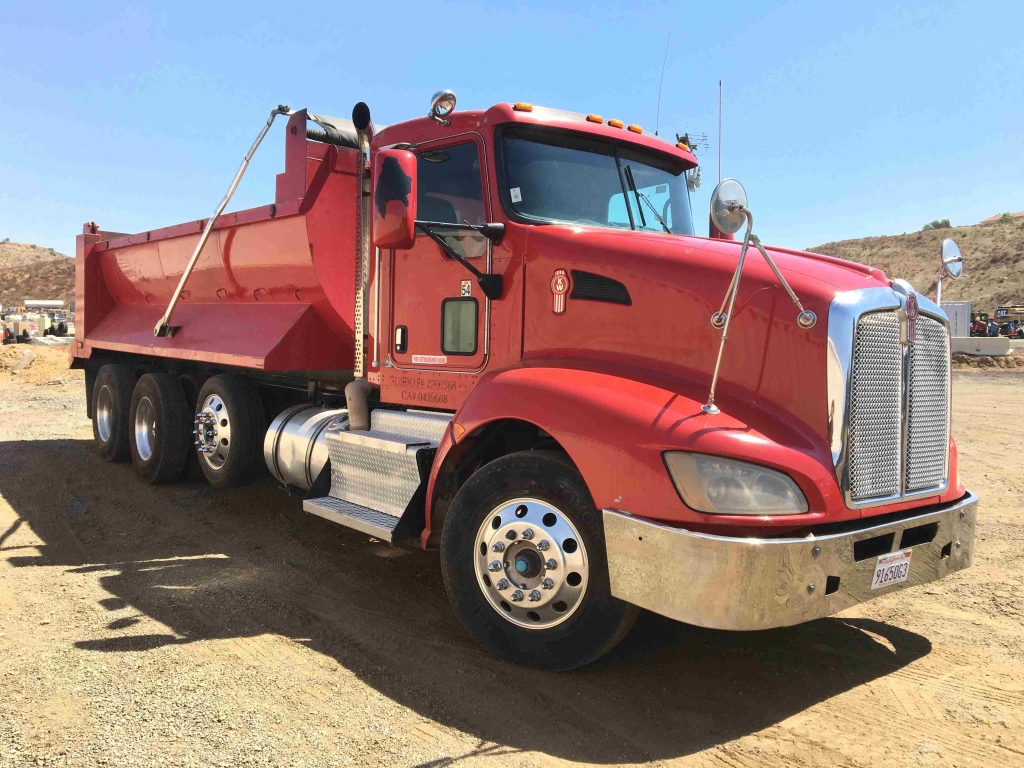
(928,404)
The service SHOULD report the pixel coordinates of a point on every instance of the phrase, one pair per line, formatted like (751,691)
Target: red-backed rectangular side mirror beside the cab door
(395,200)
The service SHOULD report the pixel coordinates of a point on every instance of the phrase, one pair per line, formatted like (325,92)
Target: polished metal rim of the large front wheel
(531,564)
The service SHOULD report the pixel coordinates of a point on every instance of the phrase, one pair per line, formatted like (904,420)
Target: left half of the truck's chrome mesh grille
(876,403)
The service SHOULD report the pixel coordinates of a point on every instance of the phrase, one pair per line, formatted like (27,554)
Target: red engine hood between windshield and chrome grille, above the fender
(645,302)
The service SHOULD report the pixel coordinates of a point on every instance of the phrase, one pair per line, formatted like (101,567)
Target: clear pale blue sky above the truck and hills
(842,120)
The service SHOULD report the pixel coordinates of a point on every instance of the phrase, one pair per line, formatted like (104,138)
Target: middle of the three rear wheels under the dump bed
(159,423)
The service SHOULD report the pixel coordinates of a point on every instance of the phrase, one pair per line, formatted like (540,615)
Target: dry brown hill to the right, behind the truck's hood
(994,262)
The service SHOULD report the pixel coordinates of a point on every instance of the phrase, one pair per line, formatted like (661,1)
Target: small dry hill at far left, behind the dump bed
(28,272)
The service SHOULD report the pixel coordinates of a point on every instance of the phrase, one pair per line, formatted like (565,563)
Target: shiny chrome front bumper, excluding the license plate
(756,584)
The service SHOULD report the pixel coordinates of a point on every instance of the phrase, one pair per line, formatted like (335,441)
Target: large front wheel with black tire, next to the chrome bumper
(526,491)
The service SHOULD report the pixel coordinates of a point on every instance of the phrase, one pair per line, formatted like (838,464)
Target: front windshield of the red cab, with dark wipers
(552,177)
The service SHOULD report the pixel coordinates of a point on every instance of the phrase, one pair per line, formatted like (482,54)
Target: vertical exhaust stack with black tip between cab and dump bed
(357,393)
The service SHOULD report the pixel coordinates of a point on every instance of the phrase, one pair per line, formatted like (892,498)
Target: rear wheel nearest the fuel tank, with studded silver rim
(233,433)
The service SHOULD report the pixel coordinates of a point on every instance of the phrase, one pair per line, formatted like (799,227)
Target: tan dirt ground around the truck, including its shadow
(178,626)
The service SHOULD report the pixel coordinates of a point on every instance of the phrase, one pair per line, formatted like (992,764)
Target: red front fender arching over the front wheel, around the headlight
(617,428)
